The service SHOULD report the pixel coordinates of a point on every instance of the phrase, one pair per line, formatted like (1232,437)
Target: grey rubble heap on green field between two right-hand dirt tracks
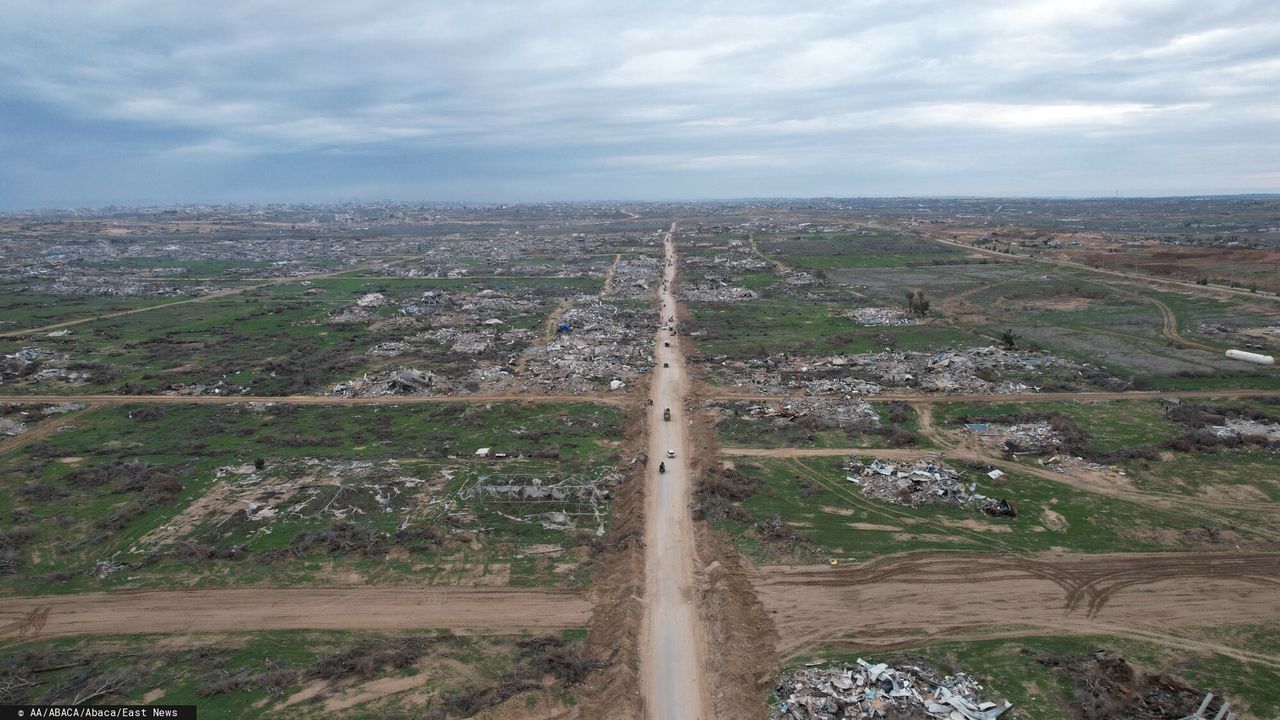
(922,482)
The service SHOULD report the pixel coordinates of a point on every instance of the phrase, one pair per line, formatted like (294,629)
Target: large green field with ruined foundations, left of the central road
(121,475)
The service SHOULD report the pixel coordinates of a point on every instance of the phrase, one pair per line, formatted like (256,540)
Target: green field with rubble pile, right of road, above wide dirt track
(838,521)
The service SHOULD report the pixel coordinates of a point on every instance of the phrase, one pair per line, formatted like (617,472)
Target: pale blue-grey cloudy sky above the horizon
(147,102)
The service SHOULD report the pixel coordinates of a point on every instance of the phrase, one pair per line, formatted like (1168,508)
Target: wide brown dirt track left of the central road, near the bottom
(321,609)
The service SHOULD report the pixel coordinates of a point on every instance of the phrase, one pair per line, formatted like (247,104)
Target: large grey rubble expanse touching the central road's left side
(604,344)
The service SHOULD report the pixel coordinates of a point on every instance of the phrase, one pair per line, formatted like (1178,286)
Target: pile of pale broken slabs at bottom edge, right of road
(866,691)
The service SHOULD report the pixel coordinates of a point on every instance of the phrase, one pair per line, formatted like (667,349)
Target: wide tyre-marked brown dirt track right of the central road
(912,600)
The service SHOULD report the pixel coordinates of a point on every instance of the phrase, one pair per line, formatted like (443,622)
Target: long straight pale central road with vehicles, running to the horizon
(674,680)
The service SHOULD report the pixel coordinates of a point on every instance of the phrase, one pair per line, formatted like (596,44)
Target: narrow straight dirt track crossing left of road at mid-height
(310,399)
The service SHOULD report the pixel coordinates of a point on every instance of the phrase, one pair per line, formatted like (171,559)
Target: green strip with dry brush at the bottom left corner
(266,675)
